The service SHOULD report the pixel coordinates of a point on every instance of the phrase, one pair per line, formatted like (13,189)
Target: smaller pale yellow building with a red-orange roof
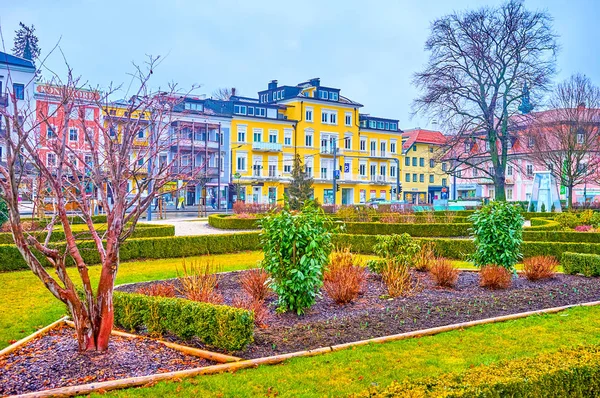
(424,178)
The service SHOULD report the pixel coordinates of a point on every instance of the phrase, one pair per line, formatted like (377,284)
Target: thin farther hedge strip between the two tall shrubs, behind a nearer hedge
(417,230)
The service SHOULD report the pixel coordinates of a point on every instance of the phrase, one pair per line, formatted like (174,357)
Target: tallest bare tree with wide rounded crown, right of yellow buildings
(478,65)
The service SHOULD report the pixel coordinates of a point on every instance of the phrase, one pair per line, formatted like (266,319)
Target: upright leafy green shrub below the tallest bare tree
(498,234)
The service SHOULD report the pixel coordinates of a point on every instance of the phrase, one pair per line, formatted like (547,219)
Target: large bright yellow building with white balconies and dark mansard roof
(328,133)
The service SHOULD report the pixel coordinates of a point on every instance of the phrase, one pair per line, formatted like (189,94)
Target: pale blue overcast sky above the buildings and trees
(368,49)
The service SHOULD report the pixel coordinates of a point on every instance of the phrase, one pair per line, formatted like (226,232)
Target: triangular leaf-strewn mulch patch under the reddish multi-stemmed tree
(53,361)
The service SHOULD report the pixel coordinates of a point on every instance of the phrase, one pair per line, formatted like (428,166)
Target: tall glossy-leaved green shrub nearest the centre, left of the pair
(296,248)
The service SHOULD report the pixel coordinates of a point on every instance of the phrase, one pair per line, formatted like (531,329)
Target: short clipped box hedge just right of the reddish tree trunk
(220,326)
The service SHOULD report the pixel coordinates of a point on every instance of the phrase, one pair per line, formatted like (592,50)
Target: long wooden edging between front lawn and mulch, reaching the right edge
(244,364)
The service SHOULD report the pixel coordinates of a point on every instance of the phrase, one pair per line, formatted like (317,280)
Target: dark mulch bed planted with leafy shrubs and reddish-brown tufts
(375,315)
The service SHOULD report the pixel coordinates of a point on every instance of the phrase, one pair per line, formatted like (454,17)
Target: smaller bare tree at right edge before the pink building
(566,138)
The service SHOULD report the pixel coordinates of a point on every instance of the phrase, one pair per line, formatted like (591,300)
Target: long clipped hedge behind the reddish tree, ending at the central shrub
(142,248)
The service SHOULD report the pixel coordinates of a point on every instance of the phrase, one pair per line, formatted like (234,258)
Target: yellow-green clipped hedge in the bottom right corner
(571,372)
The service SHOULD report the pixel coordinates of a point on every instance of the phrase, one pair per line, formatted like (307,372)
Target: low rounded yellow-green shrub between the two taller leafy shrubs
(402,249)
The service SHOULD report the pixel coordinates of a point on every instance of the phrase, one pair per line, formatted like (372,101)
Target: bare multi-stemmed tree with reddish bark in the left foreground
(124,182)
